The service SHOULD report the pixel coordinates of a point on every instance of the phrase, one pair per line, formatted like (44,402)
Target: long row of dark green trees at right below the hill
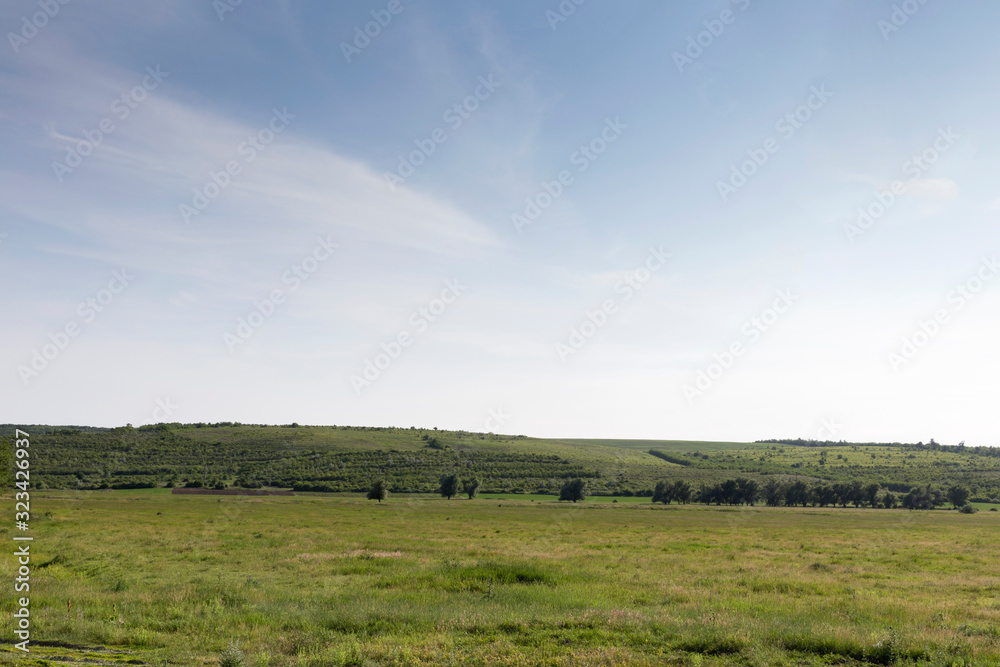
(743,491)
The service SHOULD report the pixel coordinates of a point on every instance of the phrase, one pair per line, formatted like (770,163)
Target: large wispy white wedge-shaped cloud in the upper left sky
(121,205)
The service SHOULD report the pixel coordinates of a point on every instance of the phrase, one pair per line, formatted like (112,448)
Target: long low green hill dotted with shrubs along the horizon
(343,458)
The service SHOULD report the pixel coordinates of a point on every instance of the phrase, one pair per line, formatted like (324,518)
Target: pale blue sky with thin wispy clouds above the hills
(717,220)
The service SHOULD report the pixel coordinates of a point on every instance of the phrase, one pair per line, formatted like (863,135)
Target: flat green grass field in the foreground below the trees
(336,580)
